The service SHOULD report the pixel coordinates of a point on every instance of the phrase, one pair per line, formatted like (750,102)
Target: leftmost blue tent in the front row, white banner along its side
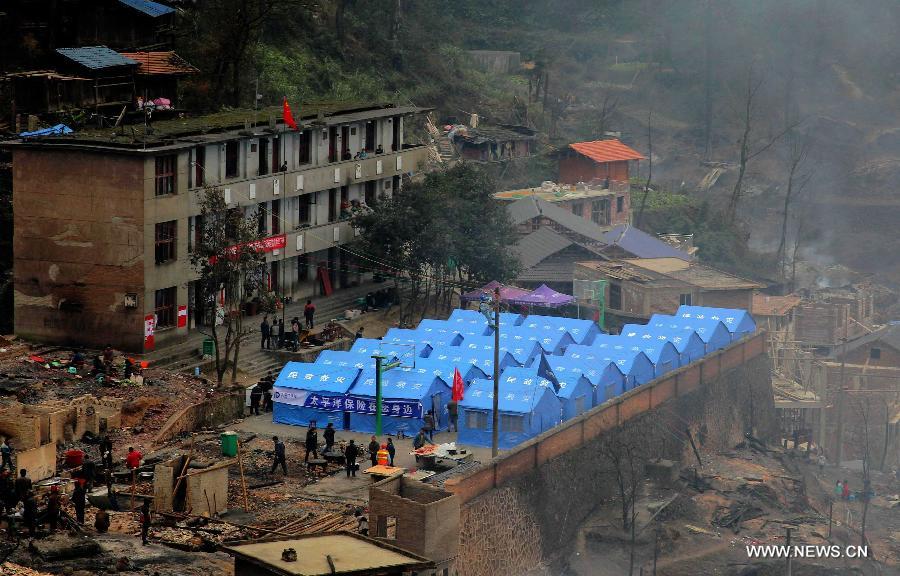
(304,393)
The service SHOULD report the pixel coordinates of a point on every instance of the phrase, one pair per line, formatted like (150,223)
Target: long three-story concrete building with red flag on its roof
(105,220)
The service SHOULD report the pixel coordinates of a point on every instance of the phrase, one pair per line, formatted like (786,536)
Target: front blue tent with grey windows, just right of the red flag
(525,412)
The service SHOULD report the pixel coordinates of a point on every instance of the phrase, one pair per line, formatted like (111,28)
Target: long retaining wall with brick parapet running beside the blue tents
(525,505)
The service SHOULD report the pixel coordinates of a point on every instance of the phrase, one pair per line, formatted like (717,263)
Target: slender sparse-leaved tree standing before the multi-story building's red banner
(227,262)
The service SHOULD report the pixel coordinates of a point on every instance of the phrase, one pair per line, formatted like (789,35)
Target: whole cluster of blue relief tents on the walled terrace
(551,369)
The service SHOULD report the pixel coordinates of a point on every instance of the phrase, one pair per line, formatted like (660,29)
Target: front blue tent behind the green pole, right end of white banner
(407,394)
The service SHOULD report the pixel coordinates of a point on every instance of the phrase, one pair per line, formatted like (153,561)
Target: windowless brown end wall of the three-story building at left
(79,247)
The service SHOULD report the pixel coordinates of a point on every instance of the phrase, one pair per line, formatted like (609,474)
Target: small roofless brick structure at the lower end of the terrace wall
(416,517)
